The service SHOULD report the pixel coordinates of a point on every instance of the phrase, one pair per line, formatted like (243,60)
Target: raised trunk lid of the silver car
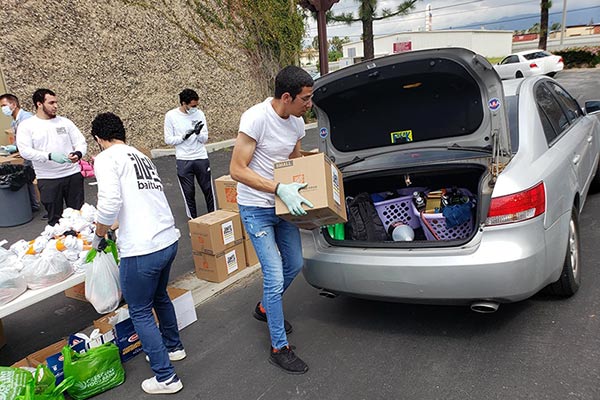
(420,101)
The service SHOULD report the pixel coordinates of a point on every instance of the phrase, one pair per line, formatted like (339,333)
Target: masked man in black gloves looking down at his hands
(185,128)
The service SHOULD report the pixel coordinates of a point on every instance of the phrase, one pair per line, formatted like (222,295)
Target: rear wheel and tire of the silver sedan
(570,277)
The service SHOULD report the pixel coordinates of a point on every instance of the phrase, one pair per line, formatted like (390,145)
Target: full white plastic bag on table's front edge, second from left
(46,269)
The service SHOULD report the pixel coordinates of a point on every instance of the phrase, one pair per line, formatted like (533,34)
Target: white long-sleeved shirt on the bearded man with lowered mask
(37,137)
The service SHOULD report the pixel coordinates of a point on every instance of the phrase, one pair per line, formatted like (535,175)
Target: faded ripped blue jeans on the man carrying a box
(279,250)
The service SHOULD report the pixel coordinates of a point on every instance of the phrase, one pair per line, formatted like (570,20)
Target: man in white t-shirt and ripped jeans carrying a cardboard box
(269,132)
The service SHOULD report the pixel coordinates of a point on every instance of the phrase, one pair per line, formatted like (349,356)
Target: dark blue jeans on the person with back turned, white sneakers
(144,282)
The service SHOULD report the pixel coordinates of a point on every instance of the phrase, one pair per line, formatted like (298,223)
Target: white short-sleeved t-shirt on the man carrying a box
(275,138)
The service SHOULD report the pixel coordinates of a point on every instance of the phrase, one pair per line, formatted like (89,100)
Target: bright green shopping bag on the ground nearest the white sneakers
(95,371)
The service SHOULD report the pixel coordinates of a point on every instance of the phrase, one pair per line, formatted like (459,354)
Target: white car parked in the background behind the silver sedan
(529,63)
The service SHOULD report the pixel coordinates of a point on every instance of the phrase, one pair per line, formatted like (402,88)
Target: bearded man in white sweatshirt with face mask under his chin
(54,145)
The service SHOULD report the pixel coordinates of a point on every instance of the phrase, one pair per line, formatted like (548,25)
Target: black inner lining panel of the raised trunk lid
(401,104)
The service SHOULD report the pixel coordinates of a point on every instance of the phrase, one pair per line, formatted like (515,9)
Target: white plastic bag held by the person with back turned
(102,287)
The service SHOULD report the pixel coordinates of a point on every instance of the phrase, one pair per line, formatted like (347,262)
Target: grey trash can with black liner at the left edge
(15,207)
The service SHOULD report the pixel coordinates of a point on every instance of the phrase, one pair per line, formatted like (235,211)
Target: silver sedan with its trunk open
(523,152)
